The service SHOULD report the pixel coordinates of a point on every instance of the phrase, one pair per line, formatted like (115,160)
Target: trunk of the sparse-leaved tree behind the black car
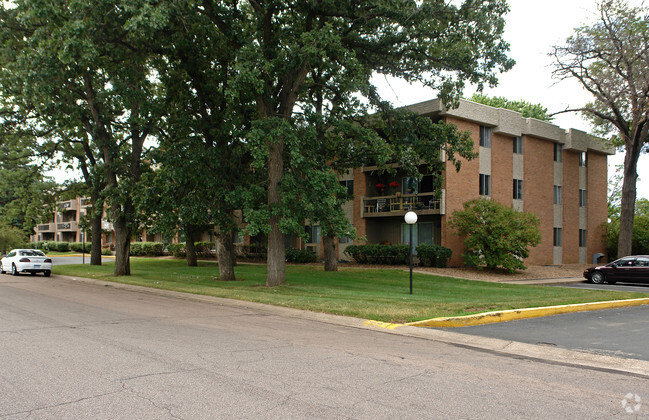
(627,205)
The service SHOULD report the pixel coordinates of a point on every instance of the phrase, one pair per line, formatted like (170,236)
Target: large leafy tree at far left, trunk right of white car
(76,70)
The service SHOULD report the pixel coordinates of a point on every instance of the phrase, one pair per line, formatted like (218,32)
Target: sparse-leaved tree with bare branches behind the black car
(610,59)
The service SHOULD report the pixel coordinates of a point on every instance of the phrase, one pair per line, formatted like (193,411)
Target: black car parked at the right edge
(631,269)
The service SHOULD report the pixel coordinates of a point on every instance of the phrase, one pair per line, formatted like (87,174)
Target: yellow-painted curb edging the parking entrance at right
(514,314)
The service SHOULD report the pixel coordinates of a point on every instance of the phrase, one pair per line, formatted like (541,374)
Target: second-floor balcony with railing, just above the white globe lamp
(400,204)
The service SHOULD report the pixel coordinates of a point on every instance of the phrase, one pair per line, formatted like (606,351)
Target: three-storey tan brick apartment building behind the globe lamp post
(534,166)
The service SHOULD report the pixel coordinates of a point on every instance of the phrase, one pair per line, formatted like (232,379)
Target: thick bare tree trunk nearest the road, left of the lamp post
(276,267)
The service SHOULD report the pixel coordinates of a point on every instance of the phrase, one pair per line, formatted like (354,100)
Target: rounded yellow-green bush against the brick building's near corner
(496,235)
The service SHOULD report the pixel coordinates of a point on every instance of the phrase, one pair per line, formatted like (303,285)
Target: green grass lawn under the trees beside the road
(381,295)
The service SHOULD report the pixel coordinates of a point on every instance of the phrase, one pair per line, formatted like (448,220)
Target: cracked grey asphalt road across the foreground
(76,349)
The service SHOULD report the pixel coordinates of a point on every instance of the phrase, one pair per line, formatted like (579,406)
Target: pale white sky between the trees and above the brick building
(532,28)
